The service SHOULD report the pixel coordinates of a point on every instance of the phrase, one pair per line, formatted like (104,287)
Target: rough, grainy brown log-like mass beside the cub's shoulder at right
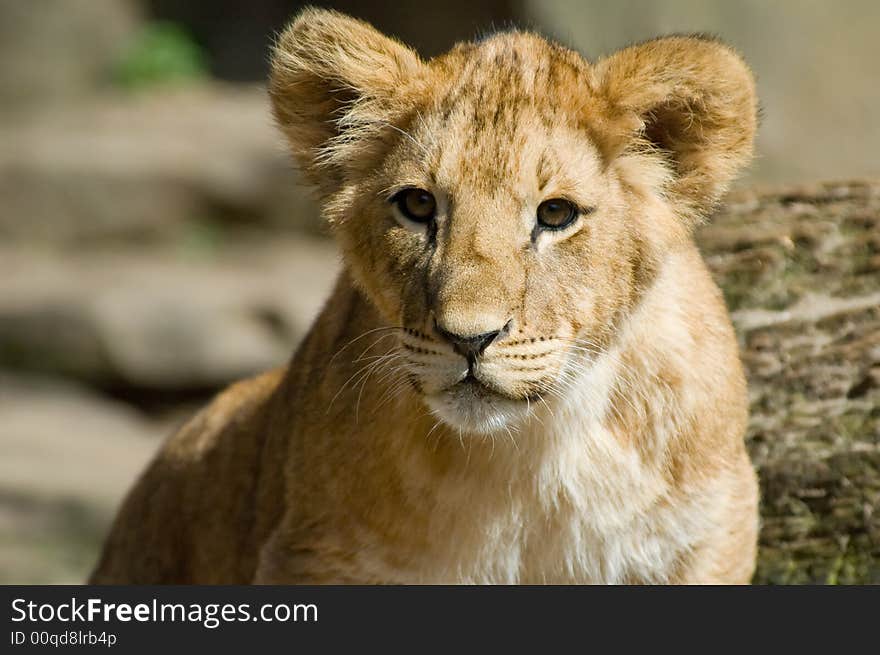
(801,270)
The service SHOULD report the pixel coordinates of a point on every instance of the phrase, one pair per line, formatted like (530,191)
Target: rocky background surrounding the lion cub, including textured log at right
(156,245)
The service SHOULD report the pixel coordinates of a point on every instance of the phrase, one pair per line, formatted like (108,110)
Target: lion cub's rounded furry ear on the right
(692,98)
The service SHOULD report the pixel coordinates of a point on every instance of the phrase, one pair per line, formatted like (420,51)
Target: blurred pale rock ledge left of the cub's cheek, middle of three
(157,319)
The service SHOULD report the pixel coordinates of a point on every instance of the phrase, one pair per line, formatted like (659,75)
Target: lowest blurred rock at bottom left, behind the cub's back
(68,456)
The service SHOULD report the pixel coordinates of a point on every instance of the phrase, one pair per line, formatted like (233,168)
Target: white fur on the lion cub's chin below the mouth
(477,413)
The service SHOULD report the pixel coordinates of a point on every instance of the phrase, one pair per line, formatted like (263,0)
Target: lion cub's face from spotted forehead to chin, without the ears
(504,249)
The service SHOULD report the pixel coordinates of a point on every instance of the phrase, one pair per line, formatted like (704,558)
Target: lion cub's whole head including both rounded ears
(506,204)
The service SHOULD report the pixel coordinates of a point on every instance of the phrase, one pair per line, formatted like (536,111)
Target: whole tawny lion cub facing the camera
(525,373)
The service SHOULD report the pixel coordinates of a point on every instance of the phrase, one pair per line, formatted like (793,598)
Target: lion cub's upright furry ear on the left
(335,83)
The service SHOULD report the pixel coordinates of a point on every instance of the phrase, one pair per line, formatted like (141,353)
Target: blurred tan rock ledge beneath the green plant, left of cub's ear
(148,165)
